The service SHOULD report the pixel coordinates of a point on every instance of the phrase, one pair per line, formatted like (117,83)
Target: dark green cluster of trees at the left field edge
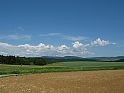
(22,60)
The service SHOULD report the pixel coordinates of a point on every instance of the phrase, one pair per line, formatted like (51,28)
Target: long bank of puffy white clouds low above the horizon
(75,49)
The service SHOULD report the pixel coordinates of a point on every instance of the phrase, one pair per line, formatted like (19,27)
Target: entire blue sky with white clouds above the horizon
(84,28)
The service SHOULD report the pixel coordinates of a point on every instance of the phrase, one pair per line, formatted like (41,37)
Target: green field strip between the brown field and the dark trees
(60,67)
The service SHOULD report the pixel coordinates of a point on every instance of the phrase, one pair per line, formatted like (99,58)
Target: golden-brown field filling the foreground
(68,82)
